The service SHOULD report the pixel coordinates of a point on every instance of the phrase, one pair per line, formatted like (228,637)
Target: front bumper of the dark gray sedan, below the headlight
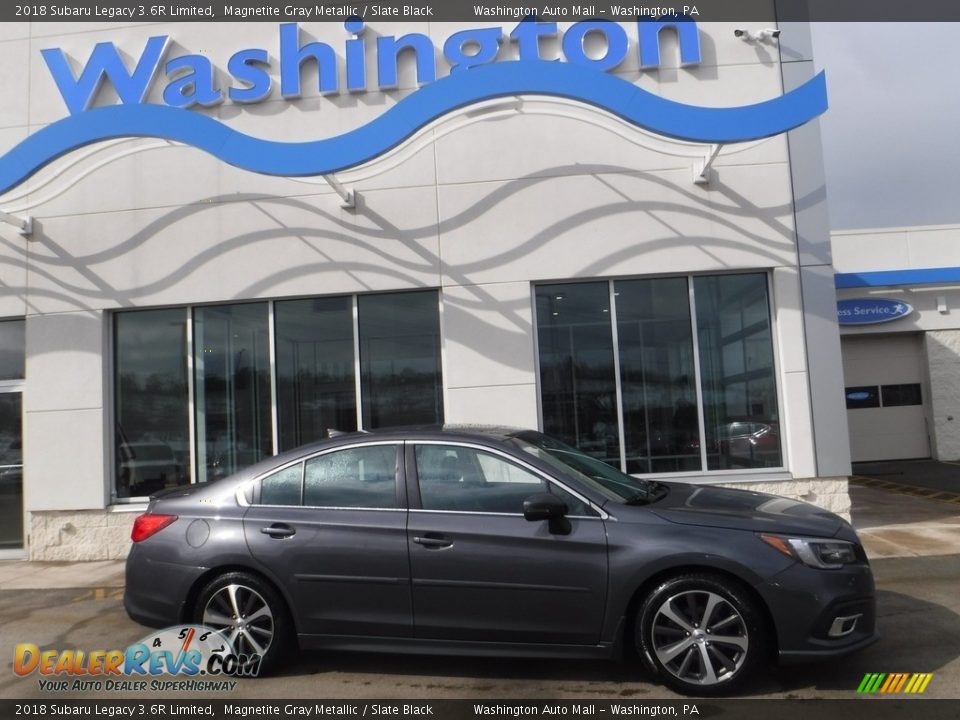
(809,606)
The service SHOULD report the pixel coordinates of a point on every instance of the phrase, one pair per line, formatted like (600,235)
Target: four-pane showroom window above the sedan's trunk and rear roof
(266,377)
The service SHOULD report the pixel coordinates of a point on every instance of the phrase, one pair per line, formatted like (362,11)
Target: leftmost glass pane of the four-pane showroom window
(152,446)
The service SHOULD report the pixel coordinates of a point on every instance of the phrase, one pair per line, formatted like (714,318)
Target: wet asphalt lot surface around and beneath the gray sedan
(919,616)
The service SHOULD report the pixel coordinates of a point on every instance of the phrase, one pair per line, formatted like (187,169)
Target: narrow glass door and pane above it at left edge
(11,447)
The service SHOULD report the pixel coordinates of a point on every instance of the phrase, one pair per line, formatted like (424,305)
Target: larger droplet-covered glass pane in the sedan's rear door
(356,477)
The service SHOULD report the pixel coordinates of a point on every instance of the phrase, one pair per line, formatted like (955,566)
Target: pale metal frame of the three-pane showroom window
(704,475)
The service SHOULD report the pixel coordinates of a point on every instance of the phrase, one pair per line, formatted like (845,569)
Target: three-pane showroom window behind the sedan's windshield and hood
(630,375)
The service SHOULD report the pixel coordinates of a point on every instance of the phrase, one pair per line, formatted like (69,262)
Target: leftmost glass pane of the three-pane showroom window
(577,379)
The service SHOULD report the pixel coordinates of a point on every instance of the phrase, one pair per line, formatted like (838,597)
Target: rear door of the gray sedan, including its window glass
(332,529)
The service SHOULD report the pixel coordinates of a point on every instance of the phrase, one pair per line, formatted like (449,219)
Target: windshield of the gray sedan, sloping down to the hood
(594,473)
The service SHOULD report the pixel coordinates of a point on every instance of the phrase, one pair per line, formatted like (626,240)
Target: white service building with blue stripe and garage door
(902,370)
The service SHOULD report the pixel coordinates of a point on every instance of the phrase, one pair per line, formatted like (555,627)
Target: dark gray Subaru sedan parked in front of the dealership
(497,541)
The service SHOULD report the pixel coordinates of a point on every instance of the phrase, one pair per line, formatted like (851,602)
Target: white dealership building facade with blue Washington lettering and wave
(526,259)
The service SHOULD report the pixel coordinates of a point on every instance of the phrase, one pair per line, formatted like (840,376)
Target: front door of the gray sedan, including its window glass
(480,570)
